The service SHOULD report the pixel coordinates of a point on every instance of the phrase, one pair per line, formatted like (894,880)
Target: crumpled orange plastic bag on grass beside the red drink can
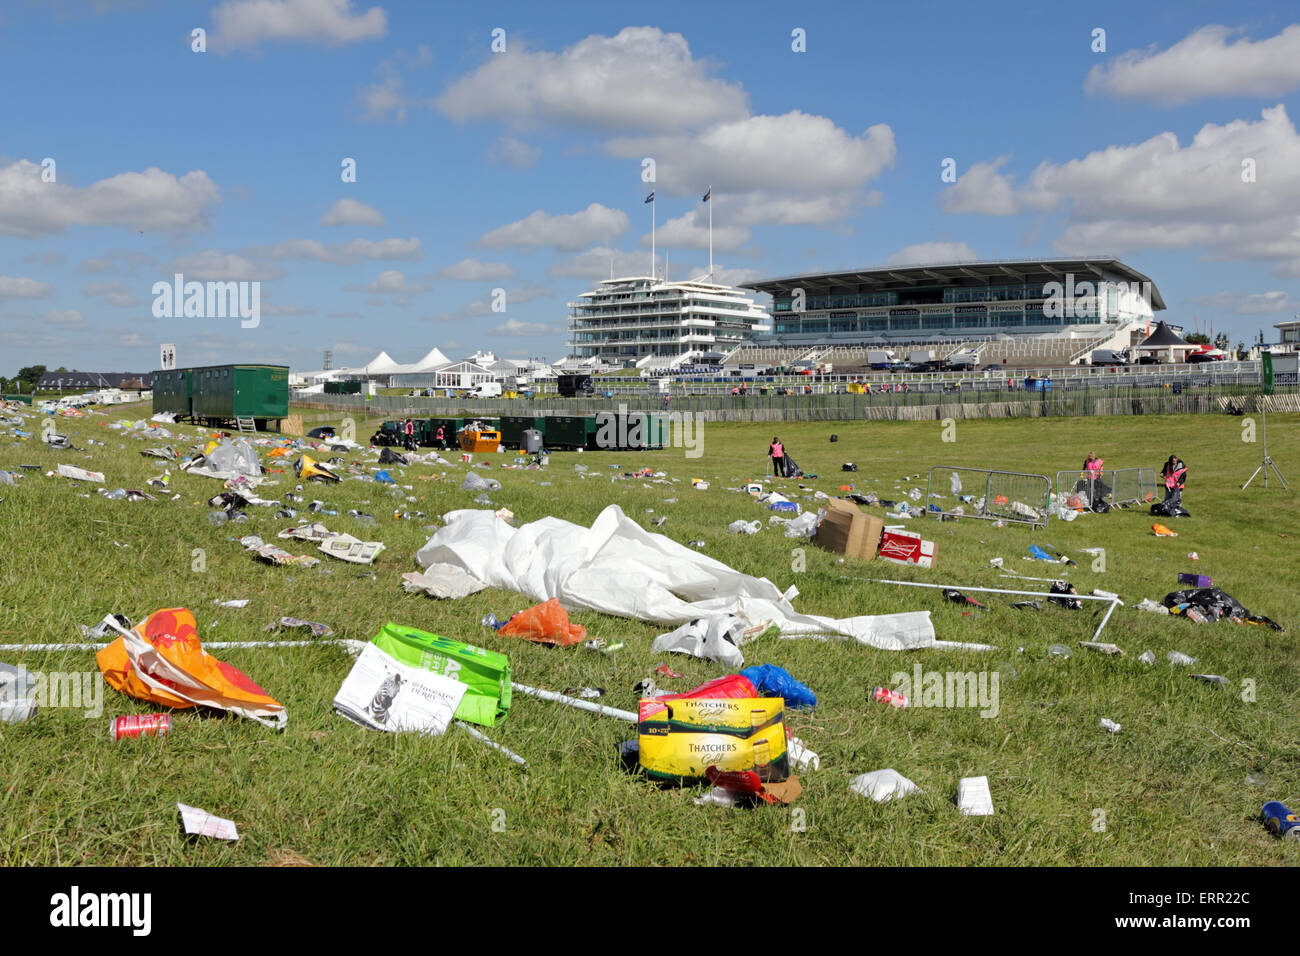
(162,661)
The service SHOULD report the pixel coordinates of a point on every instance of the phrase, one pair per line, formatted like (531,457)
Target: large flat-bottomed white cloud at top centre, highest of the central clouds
(639,80)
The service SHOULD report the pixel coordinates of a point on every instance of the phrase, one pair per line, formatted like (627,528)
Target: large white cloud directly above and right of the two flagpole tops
(790,170)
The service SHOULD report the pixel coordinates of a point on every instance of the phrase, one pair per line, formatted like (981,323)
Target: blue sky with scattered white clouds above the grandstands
(1175,149)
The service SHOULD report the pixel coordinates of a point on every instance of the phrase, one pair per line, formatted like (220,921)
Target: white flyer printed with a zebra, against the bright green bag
(384,694)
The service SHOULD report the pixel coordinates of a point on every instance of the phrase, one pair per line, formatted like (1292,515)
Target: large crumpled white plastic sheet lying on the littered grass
(618,568)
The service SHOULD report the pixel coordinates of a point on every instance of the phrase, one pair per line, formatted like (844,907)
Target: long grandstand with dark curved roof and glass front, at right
(1037,310)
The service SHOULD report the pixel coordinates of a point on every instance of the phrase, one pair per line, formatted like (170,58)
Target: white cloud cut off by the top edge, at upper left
(249,23)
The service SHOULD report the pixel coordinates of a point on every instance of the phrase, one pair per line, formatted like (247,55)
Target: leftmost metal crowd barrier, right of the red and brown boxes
(994,496)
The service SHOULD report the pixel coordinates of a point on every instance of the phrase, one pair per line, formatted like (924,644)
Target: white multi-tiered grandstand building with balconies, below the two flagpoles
(643,319)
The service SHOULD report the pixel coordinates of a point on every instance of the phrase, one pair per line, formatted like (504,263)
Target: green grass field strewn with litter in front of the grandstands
(1172,786)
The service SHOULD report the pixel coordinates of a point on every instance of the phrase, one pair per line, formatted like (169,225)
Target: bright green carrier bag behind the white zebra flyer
(486,673)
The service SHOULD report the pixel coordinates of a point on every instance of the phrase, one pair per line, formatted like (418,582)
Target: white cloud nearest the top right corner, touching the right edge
(1203,64)
